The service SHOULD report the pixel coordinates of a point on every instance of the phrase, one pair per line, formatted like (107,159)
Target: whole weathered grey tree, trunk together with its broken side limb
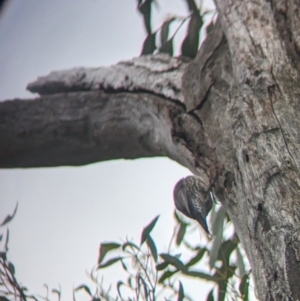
(231,116)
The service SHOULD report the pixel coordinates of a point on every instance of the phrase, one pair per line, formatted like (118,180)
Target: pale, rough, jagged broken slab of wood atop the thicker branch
(159,74)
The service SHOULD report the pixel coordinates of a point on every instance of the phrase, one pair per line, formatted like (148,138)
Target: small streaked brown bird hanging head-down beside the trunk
(193,200)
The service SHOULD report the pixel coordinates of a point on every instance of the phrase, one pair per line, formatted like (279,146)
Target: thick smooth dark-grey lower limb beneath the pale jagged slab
(83,127)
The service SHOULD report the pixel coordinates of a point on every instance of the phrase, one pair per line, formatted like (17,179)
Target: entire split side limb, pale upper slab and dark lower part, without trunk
(75,122)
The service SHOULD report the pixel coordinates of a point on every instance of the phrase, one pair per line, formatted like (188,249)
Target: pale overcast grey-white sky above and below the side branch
(64,213)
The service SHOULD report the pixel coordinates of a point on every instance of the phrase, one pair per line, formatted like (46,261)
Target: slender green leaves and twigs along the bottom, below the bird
(152,275)
